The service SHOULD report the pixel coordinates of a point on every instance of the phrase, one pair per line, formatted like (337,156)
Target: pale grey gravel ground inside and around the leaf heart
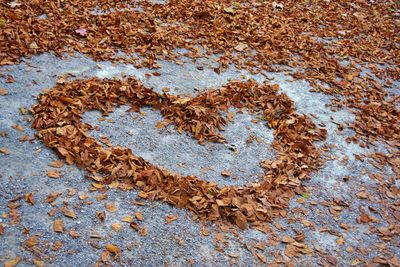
(326,216)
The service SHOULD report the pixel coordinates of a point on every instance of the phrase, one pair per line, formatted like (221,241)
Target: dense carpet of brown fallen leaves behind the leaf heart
(329,43)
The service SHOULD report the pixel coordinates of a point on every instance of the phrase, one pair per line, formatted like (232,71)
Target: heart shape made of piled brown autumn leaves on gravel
(58,118)
